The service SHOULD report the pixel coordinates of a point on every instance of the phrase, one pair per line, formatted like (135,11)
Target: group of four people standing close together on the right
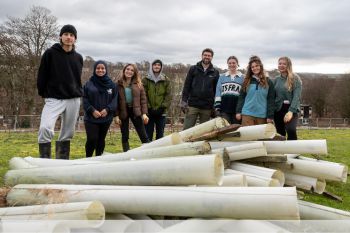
(247,99)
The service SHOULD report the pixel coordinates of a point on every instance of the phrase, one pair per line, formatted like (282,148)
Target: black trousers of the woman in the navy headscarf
(95,137)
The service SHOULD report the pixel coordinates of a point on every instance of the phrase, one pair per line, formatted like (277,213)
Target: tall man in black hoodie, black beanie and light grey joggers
(59,83)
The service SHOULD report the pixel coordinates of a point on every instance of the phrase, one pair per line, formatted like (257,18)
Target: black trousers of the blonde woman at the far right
(289,128)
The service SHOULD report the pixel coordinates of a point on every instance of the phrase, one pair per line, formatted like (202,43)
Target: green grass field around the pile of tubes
(338,140)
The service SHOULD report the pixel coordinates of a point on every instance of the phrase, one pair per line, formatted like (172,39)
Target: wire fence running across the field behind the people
(32,122)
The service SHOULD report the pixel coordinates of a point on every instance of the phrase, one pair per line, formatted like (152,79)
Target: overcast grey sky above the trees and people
(315,34)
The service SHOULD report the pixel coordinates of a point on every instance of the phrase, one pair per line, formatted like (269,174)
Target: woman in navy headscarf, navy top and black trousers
(100,98)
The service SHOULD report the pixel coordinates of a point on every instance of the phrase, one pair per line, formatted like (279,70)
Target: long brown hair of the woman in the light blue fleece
(263,79)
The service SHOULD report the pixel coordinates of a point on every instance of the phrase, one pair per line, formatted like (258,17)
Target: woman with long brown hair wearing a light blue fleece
(257,96)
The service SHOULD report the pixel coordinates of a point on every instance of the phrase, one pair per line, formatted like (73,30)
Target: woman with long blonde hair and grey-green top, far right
(288,88)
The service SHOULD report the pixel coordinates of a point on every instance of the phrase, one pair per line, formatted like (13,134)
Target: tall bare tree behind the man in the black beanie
(22,41)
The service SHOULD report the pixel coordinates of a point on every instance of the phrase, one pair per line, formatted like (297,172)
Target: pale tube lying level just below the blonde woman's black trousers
(297,147)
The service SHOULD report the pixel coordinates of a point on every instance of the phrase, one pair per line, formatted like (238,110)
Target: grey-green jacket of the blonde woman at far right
(292,96)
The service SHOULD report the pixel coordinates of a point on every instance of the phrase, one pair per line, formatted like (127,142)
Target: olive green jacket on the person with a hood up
(158,93)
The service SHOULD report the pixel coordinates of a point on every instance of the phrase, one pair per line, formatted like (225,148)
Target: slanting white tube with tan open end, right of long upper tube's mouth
(260,171)
